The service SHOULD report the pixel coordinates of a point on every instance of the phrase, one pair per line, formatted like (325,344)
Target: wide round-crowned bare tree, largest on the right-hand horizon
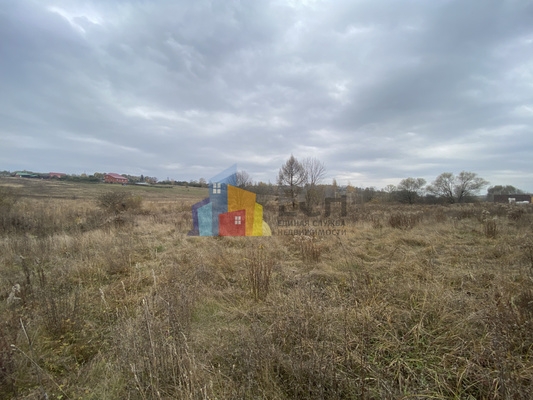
(457,189)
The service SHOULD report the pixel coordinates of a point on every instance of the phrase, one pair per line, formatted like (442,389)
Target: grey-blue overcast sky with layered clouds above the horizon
(376,90)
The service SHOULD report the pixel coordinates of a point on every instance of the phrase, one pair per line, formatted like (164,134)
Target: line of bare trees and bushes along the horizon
(303,182)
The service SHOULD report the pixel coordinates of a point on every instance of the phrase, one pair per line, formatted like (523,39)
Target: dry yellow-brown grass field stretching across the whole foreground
(412,302)
